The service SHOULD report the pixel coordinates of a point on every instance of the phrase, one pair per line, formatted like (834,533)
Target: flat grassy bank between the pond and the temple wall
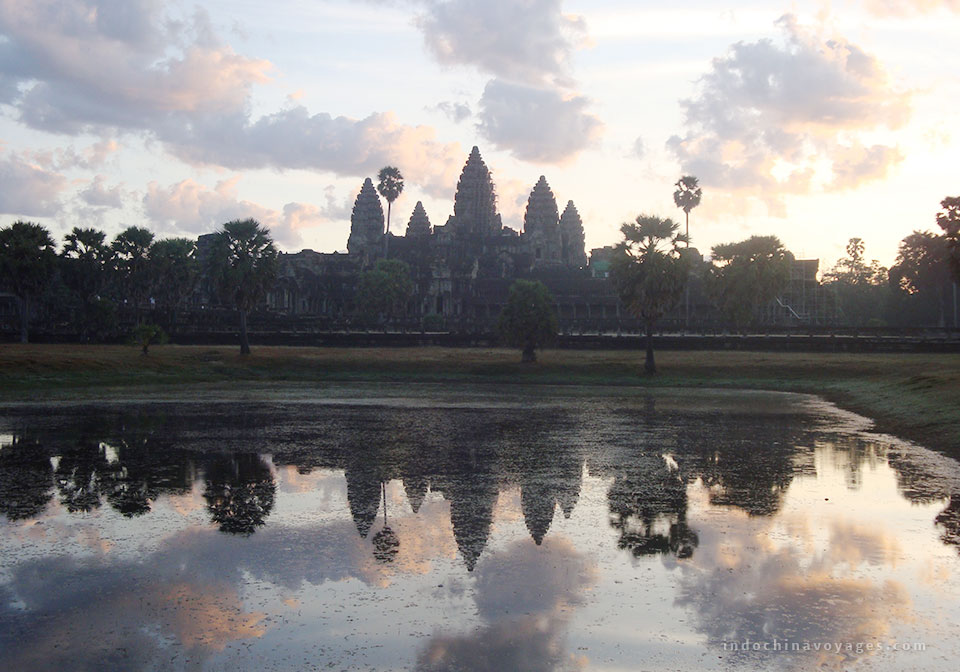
(916,396)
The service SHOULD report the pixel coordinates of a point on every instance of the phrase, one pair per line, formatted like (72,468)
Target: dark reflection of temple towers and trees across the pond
(129,459)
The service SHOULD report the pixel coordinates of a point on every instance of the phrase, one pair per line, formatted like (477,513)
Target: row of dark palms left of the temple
(93,283)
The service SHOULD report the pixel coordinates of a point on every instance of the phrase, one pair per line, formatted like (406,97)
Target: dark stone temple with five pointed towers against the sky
(462,269)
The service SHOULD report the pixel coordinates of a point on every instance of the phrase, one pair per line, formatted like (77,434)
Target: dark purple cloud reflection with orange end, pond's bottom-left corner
(117,616)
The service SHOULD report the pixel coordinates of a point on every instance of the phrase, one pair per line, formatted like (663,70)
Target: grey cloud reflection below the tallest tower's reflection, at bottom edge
(526,603)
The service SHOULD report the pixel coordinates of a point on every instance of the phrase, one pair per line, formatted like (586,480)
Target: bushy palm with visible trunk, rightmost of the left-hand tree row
(243,266)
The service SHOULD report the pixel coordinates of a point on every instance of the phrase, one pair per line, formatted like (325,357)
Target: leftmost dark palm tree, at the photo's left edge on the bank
(27,258)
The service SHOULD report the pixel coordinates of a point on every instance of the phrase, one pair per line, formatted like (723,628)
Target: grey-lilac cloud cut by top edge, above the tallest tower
(527,41)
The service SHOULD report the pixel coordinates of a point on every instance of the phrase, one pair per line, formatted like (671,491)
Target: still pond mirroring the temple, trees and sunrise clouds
(469,528)
